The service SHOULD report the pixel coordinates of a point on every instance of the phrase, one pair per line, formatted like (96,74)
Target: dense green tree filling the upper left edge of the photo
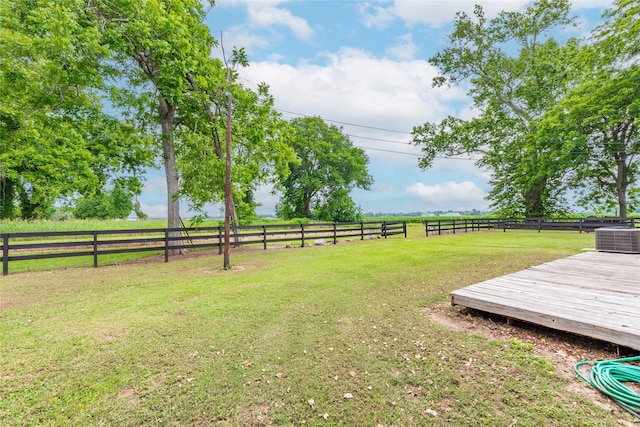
(55,139)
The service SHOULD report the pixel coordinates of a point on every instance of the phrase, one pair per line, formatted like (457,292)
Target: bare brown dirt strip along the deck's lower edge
(563,349)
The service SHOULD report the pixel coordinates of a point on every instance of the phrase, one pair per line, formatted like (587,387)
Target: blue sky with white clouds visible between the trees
(362,65)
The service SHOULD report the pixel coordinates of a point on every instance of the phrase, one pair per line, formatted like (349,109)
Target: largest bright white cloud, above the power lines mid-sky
(353,86)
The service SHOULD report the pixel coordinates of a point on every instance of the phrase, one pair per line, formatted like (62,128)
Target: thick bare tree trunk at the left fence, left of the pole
(167,113)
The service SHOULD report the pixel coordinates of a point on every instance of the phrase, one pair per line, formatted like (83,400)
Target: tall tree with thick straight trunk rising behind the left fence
(156,44)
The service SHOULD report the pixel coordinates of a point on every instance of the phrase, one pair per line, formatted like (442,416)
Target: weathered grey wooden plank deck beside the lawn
(594,294)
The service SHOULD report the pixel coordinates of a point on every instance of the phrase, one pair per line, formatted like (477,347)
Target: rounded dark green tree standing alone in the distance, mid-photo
(328,168)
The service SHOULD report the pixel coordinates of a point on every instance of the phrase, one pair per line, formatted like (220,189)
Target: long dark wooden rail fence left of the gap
(47,245)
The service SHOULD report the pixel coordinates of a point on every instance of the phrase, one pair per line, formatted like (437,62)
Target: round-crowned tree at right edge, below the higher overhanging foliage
(597,128)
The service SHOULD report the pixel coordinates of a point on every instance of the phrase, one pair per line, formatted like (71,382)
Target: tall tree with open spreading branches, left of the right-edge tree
(516,72)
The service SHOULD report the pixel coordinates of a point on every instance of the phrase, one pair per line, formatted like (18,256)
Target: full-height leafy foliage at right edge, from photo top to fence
(596,126)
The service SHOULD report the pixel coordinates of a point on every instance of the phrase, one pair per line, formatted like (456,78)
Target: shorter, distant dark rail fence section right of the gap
(539,224)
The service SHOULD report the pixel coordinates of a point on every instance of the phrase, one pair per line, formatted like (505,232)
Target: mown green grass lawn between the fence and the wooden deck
(332,335)
